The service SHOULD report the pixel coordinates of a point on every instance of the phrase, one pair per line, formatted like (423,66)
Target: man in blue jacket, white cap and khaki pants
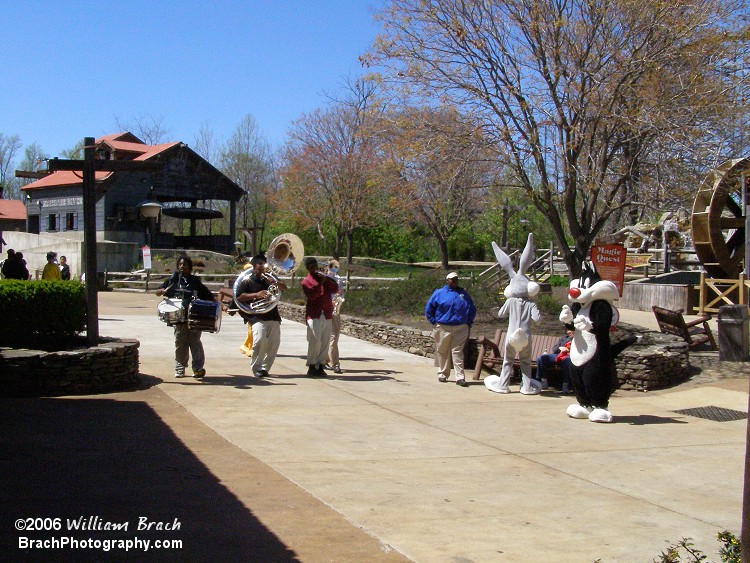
(451,312)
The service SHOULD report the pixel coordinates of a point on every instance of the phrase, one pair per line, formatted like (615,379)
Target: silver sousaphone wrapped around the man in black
(283,257)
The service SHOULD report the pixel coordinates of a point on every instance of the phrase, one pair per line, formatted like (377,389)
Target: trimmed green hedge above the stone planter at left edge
(41,314)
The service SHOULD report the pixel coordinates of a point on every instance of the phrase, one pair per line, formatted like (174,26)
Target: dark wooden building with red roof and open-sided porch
(124,199)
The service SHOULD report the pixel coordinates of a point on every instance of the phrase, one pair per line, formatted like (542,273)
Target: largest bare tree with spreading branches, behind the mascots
(574,94)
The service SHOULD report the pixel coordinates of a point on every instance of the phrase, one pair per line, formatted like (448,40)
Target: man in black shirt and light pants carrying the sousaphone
(266,327)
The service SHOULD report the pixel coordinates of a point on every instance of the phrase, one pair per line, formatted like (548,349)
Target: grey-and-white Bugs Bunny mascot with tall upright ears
(522,313)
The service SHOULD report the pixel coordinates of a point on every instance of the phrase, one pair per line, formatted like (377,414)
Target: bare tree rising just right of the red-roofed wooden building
(247,159)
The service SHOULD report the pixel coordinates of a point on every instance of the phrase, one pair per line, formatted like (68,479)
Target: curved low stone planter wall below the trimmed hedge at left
(110,366)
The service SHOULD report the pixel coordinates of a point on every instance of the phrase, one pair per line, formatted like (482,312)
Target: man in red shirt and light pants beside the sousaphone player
(318,289)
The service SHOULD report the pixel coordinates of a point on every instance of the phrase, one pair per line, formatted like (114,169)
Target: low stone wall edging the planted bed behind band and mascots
(657,360)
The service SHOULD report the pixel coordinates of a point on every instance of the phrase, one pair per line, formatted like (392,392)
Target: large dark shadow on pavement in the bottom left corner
(105,461)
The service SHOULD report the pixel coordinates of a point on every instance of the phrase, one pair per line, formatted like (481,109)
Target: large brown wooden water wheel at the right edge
(718,227)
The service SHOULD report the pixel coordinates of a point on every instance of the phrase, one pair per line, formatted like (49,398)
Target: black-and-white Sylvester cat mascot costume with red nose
(592,356)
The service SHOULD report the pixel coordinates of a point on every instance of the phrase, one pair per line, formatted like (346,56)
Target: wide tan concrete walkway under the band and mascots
(385,463)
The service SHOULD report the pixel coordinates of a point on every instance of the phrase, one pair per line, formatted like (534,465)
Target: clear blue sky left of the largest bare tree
(71,69)
